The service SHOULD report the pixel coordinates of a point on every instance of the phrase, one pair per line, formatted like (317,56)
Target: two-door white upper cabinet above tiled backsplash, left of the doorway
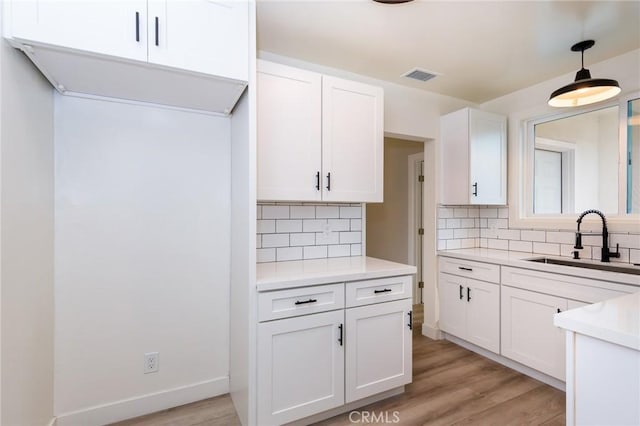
(319,137)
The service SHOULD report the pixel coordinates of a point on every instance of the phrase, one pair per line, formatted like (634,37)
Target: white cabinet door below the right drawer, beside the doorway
(378,348)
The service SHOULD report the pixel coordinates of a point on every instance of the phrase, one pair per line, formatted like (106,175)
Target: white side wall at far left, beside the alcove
(26,242)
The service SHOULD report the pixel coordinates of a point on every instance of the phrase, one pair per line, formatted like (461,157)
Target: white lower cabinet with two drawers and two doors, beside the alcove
(310,361)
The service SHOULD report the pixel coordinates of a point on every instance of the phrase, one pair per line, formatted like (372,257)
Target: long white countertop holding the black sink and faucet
(517,259)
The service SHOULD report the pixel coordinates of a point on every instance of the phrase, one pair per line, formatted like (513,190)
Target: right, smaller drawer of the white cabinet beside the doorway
(360,293)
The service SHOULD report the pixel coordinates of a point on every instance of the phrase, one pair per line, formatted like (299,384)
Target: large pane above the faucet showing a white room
(576,163)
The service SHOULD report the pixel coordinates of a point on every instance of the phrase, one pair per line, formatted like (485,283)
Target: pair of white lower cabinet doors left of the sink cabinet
(470,309)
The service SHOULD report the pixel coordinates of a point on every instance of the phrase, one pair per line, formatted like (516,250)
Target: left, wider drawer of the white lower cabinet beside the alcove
(300,301)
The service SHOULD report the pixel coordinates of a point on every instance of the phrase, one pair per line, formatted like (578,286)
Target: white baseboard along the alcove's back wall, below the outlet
(144,404)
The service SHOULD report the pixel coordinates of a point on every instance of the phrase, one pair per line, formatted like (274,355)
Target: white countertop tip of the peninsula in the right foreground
(615,320)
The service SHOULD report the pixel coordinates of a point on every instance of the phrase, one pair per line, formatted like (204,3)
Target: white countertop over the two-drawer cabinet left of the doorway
(300,273)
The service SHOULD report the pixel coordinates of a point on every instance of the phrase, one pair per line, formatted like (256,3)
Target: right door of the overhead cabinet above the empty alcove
(205,36)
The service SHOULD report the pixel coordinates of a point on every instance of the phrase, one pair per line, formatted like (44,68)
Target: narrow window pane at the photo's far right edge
(633,156)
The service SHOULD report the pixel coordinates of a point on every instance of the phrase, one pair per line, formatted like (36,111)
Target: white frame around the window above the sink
(521,177)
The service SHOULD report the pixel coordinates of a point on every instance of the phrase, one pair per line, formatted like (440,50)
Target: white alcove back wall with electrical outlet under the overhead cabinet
(142,258)
